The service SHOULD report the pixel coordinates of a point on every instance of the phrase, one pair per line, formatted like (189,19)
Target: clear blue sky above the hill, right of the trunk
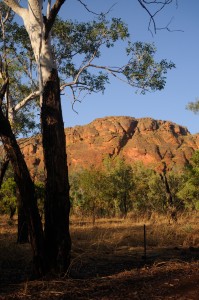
(180,47)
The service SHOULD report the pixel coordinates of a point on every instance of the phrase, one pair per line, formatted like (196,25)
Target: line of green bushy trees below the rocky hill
(118,189)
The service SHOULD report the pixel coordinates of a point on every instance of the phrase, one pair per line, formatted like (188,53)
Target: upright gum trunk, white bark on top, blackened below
(57,205)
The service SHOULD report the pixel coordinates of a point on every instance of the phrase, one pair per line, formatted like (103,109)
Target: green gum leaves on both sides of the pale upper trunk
(77,46)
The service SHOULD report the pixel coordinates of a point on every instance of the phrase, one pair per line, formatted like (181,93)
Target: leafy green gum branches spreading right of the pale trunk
(78,44)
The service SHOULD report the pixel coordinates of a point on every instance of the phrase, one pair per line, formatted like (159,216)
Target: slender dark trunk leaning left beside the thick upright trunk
(27,192)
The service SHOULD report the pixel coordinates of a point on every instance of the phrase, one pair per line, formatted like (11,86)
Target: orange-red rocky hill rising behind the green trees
(150,141)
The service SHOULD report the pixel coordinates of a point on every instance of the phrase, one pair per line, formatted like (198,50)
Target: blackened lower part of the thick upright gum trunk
(57,204)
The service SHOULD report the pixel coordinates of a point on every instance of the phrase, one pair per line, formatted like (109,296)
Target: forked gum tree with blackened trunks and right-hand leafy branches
(75,39)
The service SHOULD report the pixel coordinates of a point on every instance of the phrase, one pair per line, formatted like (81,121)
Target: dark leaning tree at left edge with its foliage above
(11,90)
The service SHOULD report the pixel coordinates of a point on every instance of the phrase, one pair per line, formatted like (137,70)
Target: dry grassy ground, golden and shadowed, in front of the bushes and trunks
(108,261)
